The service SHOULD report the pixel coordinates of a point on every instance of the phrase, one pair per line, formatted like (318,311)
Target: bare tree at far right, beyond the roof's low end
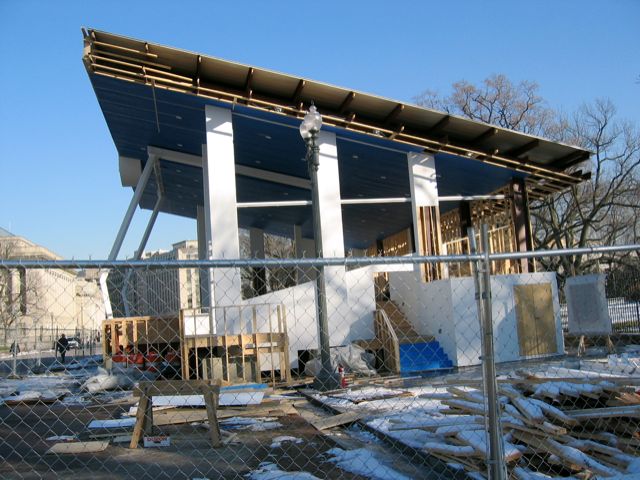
(603,210)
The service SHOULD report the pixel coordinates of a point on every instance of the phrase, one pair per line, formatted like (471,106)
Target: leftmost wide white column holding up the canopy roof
(221,218)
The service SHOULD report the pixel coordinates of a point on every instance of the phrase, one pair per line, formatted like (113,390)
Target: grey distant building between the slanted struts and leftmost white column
(152,291)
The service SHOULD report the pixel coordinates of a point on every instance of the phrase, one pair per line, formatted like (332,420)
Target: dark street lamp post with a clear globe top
(327,378)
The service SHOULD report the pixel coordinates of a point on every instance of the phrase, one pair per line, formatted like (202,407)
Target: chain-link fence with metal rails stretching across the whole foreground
(338,368)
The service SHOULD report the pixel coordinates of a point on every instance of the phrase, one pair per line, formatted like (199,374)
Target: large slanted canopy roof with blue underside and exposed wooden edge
(153,95)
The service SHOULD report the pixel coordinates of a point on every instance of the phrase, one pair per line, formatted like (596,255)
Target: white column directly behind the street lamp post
(338,312)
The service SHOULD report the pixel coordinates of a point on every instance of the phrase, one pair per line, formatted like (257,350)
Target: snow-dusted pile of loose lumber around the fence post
(557,427)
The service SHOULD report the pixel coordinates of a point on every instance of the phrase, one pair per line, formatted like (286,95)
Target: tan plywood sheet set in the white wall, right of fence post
(535,319)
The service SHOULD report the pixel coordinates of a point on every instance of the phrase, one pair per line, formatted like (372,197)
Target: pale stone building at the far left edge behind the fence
(45,299)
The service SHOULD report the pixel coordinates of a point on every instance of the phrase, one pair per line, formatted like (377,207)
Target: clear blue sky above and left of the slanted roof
(59,182)
